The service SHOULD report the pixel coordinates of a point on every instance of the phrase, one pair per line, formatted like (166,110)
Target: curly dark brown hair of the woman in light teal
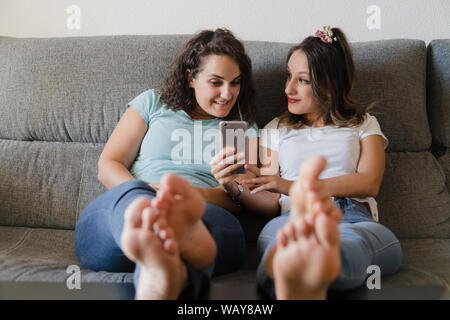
(175,90)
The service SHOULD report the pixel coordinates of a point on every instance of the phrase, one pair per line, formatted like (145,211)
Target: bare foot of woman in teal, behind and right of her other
(185,205)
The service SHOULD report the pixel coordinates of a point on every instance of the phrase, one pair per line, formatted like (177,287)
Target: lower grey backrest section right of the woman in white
(414,201)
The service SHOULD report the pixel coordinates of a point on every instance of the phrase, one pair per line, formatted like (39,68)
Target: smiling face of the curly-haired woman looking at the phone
(216,87)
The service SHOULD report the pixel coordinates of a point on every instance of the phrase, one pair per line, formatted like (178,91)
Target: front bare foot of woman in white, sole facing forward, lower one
(307,259)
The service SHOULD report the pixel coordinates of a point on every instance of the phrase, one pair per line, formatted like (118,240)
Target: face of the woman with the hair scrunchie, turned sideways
(298,89)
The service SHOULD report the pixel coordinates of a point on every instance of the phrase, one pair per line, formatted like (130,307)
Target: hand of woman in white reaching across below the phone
(272,183)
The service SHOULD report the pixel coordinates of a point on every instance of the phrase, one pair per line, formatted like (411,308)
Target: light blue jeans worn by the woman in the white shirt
(363,242)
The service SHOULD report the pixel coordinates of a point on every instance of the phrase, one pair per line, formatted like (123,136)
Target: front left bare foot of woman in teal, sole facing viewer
(149,241)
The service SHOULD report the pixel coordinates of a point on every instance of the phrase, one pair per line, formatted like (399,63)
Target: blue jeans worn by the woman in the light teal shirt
(99,229)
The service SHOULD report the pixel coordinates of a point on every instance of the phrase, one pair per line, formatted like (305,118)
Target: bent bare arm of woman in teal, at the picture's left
(121,149)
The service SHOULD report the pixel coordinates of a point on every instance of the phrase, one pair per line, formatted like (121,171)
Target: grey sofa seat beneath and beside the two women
(36,255)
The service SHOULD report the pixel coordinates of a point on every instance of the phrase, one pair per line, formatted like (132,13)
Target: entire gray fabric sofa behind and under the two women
(60,99)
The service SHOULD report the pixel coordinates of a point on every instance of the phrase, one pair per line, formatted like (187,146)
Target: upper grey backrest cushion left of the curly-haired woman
(75,89)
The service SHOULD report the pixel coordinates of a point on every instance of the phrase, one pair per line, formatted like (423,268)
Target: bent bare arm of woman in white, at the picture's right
(369,176)
